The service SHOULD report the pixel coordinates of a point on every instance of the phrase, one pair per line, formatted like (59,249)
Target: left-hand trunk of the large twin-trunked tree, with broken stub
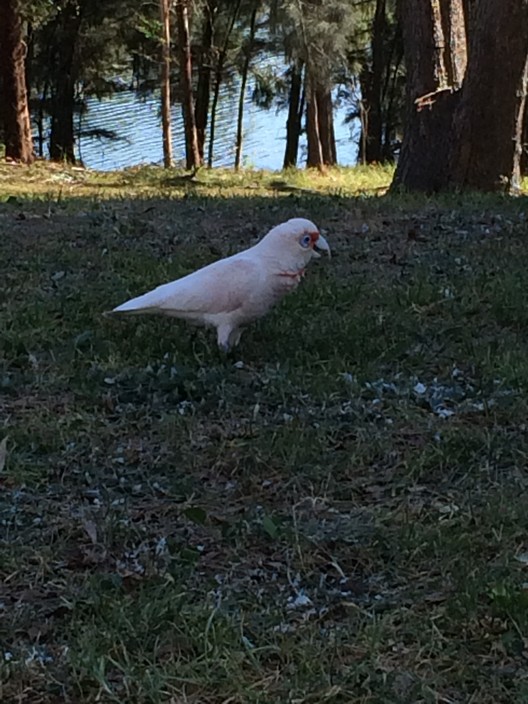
(423,164)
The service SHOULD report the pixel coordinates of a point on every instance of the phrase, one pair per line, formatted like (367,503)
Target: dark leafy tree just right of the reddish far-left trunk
(78,49)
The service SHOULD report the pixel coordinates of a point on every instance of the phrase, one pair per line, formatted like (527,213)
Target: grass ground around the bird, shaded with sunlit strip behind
(336,514)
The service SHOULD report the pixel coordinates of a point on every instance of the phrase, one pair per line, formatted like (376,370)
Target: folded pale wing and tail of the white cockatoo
(221,287)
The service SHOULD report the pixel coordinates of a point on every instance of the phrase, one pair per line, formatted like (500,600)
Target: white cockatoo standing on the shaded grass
(232,292)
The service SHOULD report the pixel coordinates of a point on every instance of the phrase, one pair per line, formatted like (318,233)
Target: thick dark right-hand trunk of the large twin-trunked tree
(488,121)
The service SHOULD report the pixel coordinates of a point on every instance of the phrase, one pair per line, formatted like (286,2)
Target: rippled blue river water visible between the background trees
(137,121)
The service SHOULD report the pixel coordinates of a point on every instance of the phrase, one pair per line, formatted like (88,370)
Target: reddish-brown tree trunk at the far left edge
(15,113)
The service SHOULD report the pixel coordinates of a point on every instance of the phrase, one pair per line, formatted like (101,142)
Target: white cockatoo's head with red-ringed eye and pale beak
(297,240)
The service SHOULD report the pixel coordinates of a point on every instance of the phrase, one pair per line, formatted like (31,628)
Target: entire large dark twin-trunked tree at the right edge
(466,94)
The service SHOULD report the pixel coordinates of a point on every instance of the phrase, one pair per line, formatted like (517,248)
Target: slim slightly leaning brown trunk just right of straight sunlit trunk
(192,152)
